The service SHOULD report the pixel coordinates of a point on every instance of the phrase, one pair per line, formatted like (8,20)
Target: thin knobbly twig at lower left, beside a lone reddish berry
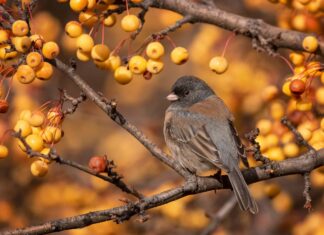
(53,156)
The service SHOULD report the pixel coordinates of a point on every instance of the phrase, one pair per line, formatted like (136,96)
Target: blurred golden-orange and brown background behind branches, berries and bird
(27,200)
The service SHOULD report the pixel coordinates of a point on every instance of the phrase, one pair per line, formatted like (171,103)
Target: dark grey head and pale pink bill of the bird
(188,90)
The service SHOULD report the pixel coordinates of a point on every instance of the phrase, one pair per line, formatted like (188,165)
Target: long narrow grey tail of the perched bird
(241,191)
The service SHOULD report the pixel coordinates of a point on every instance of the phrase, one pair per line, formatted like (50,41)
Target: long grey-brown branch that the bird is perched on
(298,165)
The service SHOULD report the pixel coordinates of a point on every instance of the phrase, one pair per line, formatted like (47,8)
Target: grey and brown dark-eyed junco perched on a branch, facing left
(200,134)
